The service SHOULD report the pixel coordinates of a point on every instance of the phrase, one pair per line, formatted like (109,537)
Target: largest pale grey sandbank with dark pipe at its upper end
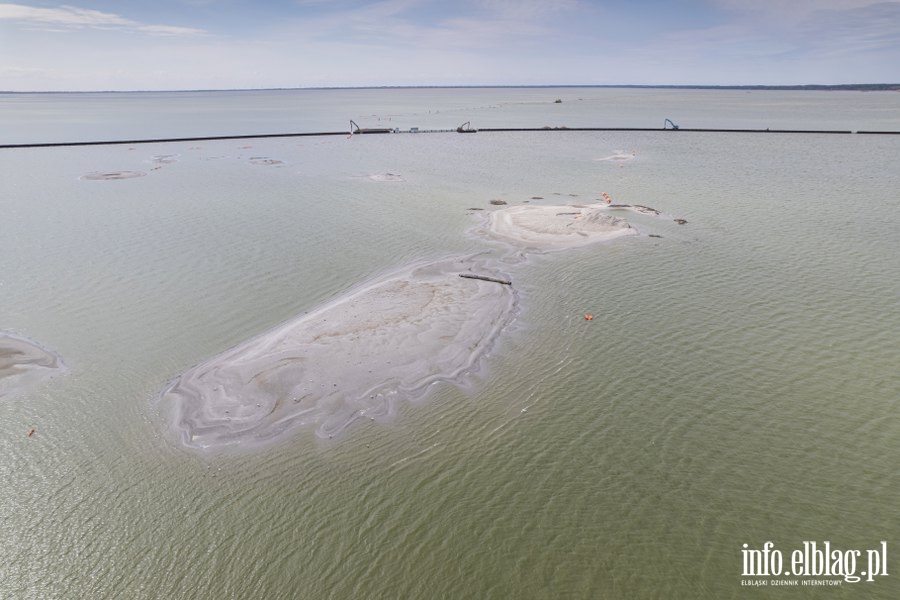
(353,358)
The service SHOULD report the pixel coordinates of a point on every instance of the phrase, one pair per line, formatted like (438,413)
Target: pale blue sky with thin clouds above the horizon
(235,44)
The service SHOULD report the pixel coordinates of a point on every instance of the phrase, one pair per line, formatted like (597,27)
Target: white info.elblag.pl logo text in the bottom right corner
(813,560)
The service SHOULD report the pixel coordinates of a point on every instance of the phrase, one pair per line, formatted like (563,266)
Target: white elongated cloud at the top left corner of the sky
(72,17)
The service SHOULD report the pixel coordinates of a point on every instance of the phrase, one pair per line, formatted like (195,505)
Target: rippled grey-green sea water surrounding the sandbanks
(736,385)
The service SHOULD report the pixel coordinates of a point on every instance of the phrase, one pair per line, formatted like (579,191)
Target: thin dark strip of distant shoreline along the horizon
(847,87)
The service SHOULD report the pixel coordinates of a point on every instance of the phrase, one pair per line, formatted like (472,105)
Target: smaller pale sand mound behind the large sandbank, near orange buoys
(556,227)
